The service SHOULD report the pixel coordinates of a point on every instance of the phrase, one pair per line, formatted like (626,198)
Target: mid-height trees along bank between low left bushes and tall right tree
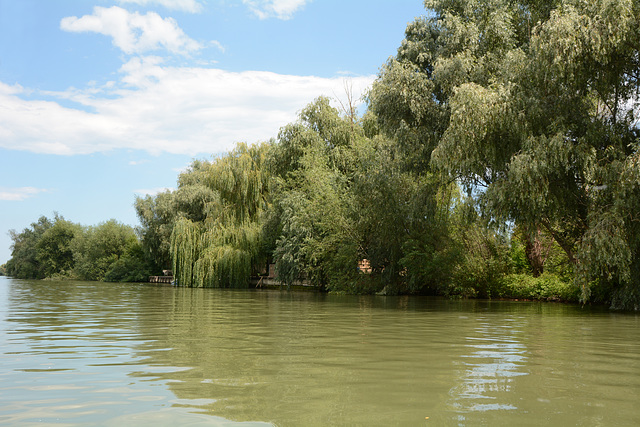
(331,192)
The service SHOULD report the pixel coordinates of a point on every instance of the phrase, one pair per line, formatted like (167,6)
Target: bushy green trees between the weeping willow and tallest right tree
(344,194)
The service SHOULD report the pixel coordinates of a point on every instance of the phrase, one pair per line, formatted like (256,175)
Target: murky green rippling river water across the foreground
(85,353)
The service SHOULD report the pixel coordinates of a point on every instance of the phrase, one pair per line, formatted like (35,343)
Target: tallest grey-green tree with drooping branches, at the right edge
(533,106)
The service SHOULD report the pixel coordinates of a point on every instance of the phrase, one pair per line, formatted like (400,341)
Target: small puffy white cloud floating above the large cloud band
(132,32)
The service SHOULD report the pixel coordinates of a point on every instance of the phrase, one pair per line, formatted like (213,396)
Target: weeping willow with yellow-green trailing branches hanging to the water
(217,246)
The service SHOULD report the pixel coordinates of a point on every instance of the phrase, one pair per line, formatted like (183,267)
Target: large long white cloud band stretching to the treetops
(163,109)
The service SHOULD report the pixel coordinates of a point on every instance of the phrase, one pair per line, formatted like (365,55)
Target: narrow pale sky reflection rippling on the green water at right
(495,357)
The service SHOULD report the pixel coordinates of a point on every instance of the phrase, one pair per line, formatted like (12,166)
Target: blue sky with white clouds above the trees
(102,101)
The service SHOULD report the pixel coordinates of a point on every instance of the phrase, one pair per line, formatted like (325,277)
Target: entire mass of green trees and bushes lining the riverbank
(498,157)
